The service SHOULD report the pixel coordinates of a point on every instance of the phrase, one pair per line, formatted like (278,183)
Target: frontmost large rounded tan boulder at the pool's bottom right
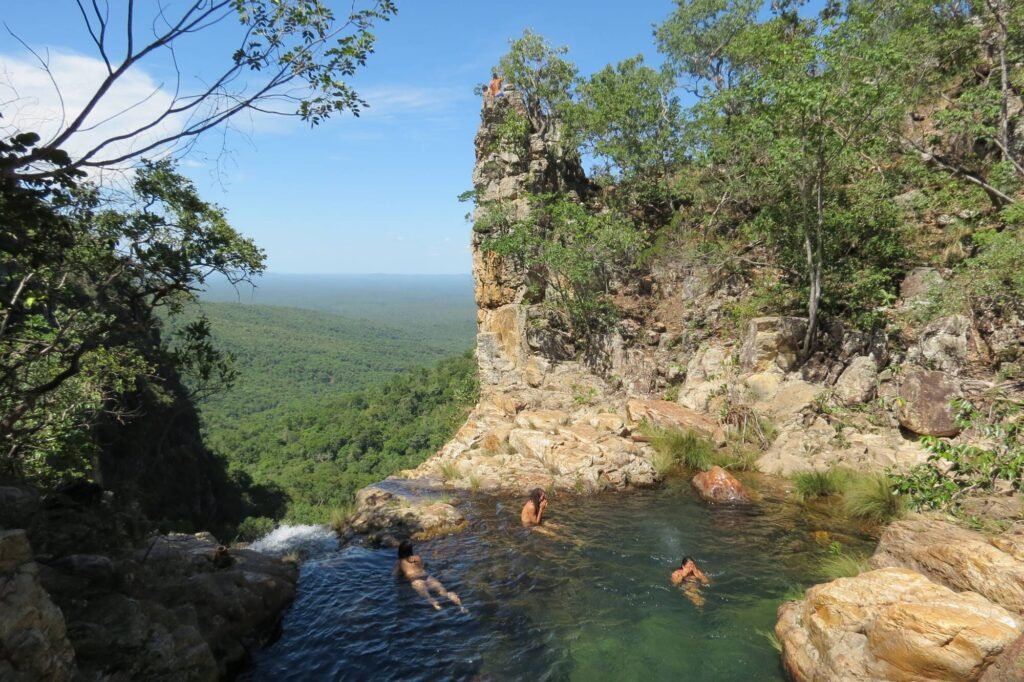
(895,625)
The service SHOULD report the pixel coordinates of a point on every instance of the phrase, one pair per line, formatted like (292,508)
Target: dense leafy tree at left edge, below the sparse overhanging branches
(82,282)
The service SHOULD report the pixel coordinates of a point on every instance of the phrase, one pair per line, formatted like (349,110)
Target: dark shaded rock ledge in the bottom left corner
(175,608)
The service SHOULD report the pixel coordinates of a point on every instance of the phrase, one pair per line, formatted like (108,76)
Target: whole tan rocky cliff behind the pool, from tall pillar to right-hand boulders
(551,415)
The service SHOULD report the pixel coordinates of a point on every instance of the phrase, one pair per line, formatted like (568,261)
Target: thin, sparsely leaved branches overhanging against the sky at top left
(286,58)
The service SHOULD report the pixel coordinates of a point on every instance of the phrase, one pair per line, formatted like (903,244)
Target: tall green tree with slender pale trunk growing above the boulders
(799,133)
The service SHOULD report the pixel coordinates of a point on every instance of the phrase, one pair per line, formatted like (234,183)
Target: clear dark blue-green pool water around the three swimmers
(592,604)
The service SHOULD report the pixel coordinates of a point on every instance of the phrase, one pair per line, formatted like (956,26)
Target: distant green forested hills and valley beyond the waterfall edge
(342,381)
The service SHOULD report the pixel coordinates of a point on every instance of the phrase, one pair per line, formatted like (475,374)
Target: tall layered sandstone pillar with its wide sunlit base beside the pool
(544,419)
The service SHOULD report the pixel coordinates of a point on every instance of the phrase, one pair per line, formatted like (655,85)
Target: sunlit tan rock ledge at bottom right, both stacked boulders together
(944,604)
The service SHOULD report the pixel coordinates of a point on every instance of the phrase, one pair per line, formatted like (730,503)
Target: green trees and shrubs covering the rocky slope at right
(801,129)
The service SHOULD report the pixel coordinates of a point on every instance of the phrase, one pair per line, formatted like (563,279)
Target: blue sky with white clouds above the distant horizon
(375,194)
